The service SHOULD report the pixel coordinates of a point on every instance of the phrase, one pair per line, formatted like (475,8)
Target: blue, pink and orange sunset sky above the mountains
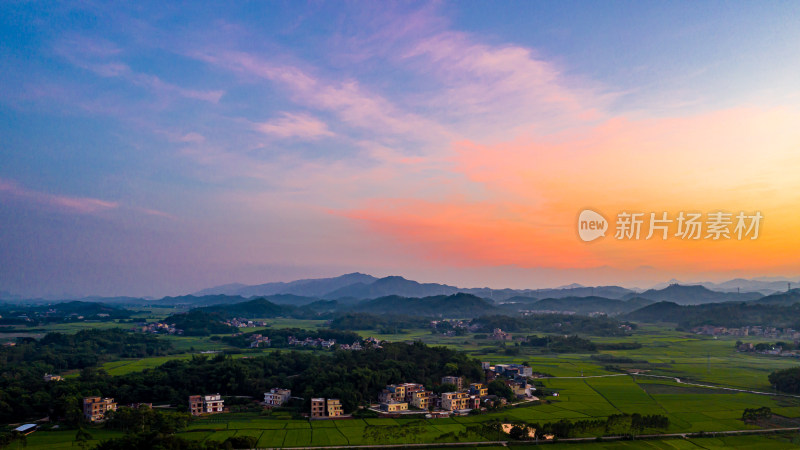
(152,149)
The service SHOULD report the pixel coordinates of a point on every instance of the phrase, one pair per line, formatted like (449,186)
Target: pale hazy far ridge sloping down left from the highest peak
(307,288)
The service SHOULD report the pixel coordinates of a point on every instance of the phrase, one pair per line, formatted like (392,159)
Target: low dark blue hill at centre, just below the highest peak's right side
(456,305)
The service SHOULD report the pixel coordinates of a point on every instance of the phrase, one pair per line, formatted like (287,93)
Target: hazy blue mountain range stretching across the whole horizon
(362,292)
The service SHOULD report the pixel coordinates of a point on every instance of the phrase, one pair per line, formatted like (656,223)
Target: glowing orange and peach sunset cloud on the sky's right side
(737,160)
